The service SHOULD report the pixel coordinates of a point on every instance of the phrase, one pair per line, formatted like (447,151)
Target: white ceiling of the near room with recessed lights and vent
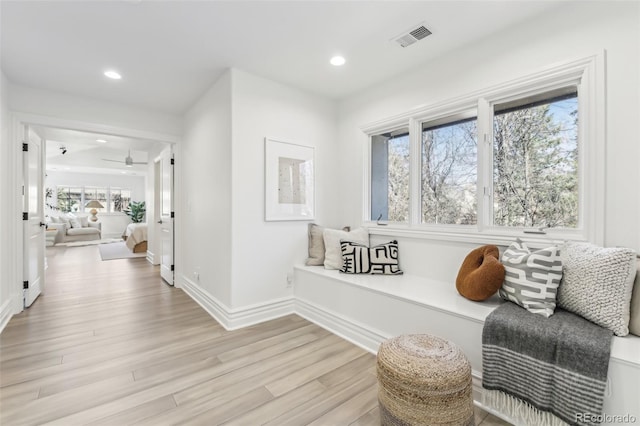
(170,52)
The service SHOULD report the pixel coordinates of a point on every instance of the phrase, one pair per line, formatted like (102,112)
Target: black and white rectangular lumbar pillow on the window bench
(360,259)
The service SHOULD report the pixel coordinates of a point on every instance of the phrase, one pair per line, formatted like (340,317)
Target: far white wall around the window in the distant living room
(113,224)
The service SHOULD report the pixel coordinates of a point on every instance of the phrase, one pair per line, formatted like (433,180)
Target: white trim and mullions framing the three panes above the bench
(588,74)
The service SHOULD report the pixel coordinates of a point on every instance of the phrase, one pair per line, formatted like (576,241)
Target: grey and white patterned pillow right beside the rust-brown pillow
(531,278)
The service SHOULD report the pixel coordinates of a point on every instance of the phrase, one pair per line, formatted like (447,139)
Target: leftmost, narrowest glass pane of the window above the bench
(390,176)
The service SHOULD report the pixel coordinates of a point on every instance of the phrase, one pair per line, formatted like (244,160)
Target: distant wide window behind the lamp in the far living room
(74,198)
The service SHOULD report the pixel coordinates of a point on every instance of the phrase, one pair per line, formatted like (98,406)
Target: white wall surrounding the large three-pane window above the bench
(578,29)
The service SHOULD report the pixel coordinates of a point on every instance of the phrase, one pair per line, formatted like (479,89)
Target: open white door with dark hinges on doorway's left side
(33,215)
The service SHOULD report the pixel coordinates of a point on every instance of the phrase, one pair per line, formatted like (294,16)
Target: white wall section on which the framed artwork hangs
(265,252)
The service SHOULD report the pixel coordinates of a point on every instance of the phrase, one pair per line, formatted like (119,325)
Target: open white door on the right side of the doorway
(166,216)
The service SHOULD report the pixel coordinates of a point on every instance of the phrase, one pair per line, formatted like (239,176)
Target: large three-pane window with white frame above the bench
(526,157)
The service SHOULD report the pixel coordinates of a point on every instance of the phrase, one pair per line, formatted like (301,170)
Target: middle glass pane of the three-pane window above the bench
(449,172)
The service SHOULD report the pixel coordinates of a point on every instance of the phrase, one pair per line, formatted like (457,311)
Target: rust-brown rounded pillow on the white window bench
(481,274)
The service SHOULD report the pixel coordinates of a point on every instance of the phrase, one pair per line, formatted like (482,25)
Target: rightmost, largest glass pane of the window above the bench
(535,161)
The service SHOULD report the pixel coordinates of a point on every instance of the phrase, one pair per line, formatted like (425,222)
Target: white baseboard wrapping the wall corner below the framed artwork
(235,318)
